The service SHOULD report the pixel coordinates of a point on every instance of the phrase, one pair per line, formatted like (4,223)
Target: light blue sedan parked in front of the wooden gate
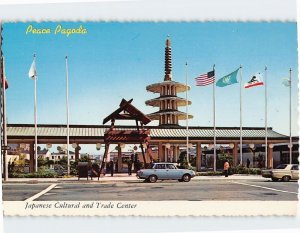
(165,171)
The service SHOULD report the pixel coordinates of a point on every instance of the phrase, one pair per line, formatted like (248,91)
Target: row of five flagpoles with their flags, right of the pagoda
(230,79)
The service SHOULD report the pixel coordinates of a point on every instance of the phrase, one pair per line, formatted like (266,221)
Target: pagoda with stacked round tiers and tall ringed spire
(168,101)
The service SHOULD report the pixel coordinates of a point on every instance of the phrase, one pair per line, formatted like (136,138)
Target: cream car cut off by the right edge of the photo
(284,172)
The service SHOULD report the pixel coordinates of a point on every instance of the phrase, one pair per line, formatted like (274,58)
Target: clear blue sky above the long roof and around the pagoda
(117,60)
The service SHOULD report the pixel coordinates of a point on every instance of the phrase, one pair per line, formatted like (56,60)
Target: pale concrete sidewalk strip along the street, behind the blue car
(124,178)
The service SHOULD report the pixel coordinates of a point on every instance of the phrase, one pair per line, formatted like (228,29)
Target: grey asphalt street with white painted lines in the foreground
(196,190)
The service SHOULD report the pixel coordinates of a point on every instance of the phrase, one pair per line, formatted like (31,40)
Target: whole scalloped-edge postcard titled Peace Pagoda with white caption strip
(147,118)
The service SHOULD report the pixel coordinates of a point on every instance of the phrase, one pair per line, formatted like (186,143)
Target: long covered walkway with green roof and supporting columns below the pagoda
(167,140)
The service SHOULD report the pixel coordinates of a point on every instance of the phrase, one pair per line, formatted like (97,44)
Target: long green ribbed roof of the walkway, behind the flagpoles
(90,134)
